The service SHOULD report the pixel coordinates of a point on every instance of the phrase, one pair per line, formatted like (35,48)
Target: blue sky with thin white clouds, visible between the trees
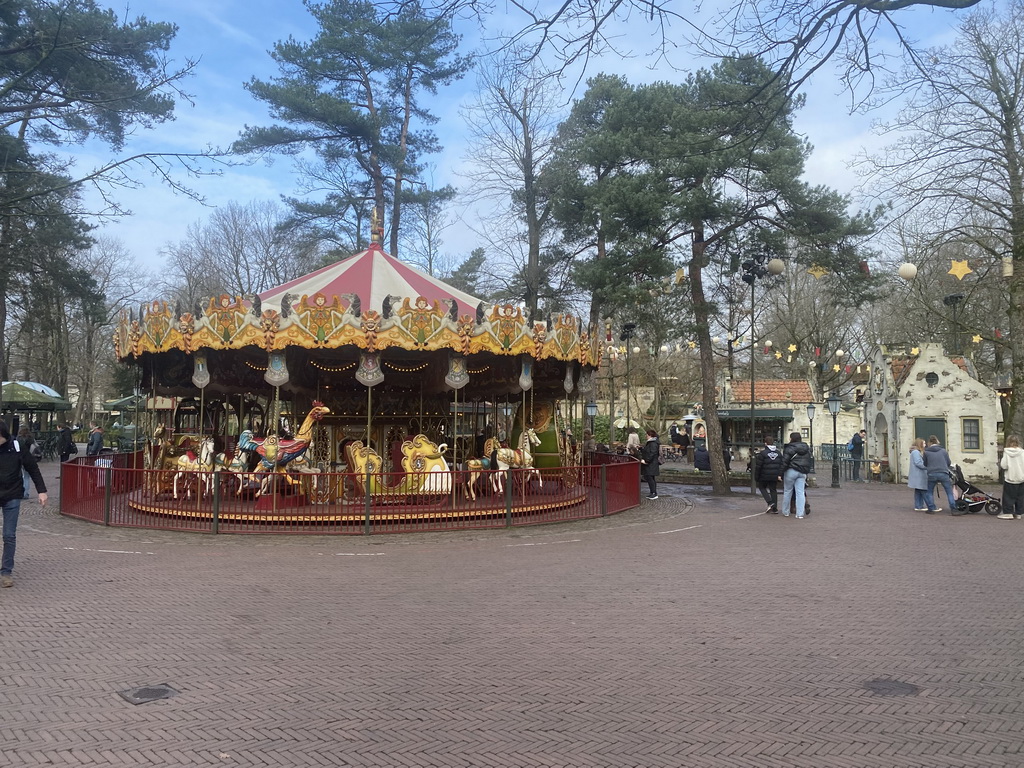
(232,40)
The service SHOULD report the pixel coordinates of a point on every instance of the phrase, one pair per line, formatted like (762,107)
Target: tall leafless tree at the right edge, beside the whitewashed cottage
(959,163)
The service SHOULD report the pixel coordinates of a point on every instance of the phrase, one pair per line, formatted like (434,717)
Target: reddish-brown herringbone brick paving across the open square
(692,632)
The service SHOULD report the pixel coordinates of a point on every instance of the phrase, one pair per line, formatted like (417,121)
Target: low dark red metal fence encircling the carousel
(113,491)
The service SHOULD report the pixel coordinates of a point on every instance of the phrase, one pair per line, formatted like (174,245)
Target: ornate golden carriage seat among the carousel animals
(426,471)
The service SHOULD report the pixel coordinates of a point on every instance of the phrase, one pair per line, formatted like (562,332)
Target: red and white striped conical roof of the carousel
(372,276)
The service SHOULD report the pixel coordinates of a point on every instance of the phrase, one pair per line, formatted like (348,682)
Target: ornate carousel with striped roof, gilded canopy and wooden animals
(365,391)
